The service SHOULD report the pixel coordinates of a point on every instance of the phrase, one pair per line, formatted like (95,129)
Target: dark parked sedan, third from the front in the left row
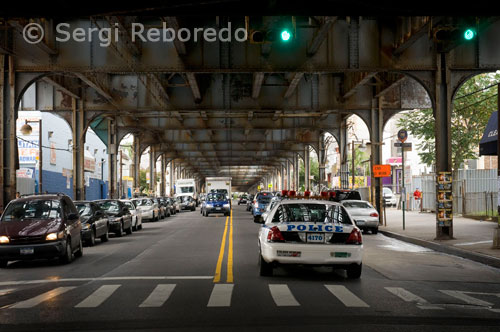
(119,216)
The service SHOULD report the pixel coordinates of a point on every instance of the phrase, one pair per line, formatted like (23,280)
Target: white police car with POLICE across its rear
(310,232)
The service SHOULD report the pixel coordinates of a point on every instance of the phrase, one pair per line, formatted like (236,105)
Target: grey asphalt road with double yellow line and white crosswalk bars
(183,274)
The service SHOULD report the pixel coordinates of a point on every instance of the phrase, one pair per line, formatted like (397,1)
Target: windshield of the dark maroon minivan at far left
(35,209)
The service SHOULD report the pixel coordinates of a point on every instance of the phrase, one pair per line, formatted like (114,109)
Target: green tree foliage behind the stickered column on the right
(472,106)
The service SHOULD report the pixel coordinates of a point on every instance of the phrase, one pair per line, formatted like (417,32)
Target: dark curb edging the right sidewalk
(477,257)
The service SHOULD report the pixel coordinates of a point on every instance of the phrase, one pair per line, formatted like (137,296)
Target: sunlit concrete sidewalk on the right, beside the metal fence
(473,238)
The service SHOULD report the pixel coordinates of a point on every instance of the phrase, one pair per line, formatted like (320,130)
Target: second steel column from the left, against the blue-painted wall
(77,128)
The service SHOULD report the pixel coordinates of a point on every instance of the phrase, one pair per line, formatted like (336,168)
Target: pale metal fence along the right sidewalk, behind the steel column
(475,192)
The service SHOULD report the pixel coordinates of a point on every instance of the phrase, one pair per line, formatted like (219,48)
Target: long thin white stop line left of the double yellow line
(46,281)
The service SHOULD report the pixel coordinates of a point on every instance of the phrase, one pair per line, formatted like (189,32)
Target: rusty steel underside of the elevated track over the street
(237,107)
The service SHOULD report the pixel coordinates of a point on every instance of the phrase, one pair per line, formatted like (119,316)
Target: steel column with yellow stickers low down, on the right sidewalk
(444,230)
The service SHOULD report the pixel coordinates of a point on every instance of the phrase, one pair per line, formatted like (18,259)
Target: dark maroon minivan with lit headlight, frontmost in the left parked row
(40,226)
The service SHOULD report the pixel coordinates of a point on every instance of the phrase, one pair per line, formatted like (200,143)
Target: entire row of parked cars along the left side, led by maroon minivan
(53,226)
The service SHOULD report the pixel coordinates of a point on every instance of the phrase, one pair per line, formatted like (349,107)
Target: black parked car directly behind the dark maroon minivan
(94,222)
